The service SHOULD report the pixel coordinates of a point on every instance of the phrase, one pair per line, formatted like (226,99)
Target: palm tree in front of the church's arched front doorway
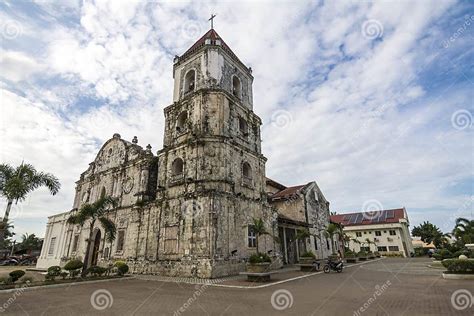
(92,213)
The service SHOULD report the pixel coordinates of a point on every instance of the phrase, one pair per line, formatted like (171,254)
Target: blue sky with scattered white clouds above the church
(374,101)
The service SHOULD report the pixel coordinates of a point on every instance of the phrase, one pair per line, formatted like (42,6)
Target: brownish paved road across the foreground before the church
(387,287)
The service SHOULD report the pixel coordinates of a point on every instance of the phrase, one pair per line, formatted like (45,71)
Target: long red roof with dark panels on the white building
(370,218)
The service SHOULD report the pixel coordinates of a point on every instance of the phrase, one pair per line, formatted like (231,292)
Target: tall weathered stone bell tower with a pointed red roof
(211,180)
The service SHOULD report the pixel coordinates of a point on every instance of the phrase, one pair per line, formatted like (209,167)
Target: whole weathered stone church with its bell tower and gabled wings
(188,210)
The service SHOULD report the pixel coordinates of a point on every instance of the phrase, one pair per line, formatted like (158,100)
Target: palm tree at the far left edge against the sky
(17,183)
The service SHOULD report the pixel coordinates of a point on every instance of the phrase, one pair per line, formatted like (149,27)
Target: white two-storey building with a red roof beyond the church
(384,231)
